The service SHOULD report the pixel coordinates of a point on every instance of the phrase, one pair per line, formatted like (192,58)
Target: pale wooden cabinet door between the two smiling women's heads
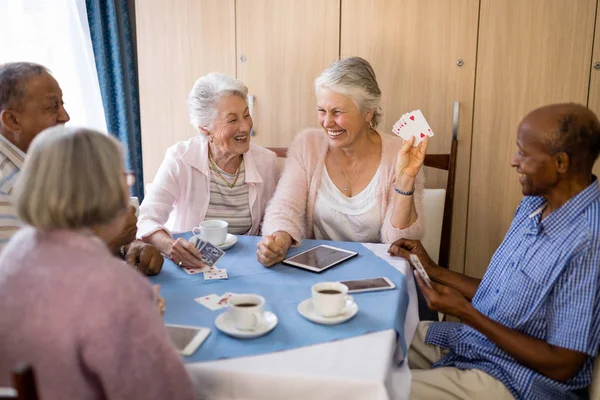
(282,46)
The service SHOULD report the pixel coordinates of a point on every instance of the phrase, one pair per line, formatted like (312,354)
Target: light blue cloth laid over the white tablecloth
(283,288)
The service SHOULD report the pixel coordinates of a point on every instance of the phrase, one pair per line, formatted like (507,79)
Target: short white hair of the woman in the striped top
(206,93)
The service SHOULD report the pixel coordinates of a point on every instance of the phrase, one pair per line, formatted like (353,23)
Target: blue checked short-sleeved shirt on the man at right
(542,281)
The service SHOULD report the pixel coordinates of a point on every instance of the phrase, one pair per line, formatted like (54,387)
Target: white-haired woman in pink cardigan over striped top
(218,174)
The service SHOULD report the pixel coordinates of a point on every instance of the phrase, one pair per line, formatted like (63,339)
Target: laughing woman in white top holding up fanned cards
(346,181)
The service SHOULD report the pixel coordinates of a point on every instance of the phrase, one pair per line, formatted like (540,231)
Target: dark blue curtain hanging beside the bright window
(110,29)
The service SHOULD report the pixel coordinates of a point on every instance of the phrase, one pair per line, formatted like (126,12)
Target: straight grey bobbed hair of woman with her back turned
(72,178)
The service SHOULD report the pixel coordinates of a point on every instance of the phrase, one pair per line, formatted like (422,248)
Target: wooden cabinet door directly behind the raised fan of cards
(415,47)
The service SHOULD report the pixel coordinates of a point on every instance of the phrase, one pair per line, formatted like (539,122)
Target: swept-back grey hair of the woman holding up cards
(354,77)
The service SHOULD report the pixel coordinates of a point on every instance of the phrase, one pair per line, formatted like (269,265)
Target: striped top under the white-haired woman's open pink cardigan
(230,204)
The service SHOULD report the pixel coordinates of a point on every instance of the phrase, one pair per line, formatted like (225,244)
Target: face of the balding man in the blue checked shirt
(536,165)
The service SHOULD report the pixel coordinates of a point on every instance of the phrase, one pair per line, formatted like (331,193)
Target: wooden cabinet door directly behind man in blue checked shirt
(530,53)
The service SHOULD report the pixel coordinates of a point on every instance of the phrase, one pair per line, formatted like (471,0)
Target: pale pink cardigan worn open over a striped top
(178,198)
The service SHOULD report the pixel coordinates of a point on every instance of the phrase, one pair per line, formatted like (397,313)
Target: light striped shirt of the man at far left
(11,162)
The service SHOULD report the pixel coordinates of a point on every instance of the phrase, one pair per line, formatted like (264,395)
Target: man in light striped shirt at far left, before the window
(31,101)
